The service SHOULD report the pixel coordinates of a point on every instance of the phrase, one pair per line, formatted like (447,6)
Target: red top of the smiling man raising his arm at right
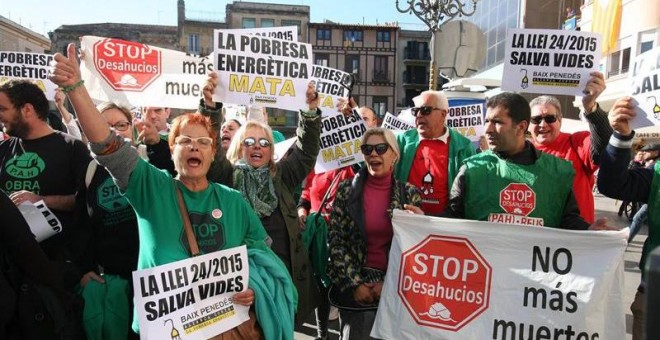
(576,148)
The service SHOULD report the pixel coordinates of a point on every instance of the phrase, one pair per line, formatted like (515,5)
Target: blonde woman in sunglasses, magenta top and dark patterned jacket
(360,231)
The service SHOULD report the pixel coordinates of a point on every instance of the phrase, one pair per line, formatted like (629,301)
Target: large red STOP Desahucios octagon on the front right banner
(444,282)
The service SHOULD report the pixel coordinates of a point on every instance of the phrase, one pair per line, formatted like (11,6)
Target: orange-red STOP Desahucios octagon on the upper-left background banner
(127,65)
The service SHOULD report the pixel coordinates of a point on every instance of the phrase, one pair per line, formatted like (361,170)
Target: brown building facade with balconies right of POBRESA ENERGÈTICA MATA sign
(368,52)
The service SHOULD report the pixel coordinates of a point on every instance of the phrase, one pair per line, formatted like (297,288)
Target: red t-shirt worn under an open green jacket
(429,174)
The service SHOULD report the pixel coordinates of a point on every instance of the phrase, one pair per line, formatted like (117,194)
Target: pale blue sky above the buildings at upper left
(43,16)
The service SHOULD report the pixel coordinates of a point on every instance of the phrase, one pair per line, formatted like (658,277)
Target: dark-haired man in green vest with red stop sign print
(513,182)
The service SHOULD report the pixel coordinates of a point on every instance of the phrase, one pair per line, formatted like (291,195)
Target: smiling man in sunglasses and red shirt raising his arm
(580,148)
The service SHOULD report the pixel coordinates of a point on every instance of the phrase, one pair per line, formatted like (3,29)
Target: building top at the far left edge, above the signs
(14,37)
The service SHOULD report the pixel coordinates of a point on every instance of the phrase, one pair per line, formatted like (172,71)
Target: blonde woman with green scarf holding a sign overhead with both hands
(269,187)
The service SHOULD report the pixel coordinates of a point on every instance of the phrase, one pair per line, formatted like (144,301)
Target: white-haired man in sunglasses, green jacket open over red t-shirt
(432,153)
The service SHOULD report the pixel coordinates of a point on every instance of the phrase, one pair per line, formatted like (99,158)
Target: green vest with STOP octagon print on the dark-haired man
(533,194)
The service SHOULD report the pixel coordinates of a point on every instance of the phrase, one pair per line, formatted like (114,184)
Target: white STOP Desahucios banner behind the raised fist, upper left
(135,74)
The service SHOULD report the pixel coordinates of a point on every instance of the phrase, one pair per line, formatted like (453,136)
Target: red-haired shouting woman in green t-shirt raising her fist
(153,195)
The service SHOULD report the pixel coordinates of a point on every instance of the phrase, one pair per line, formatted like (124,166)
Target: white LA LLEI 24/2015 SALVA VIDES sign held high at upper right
(549,61)
